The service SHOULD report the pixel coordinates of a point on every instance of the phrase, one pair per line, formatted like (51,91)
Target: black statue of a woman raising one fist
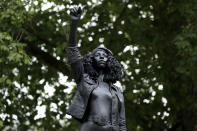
(97,104)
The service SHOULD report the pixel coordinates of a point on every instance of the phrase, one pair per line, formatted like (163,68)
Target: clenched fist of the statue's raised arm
(75,13)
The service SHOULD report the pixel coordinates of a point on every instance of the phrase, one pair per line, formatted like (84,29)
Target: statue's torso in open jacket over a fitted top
(99,104)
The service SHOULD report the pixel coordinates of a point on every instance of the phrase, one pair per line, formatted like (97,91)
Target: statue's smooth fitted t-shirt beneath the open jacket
(103,102)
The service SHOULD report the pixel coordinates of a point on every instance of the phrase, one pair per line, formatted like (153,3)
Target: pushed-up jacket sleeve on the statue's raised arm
(75,60)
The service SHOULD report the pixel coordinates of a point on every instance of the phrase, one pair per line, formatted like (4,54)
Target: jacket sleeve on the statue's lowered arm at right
(122,122)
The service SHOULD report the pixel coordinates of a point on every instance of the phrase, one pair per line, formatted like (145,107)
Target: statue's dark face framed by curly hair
(101,58)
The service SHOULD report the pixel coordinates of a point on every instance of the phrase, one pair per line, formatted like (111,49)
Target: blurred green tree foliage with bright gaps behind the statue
(154,40)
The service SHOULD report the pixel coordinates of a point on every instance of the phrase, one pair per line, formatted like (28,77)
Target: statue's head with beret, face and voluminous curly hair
(102,58)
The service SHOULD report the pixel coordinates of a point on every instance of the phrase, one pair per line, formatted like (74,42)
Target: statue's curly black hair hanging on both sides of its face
(113,71)
